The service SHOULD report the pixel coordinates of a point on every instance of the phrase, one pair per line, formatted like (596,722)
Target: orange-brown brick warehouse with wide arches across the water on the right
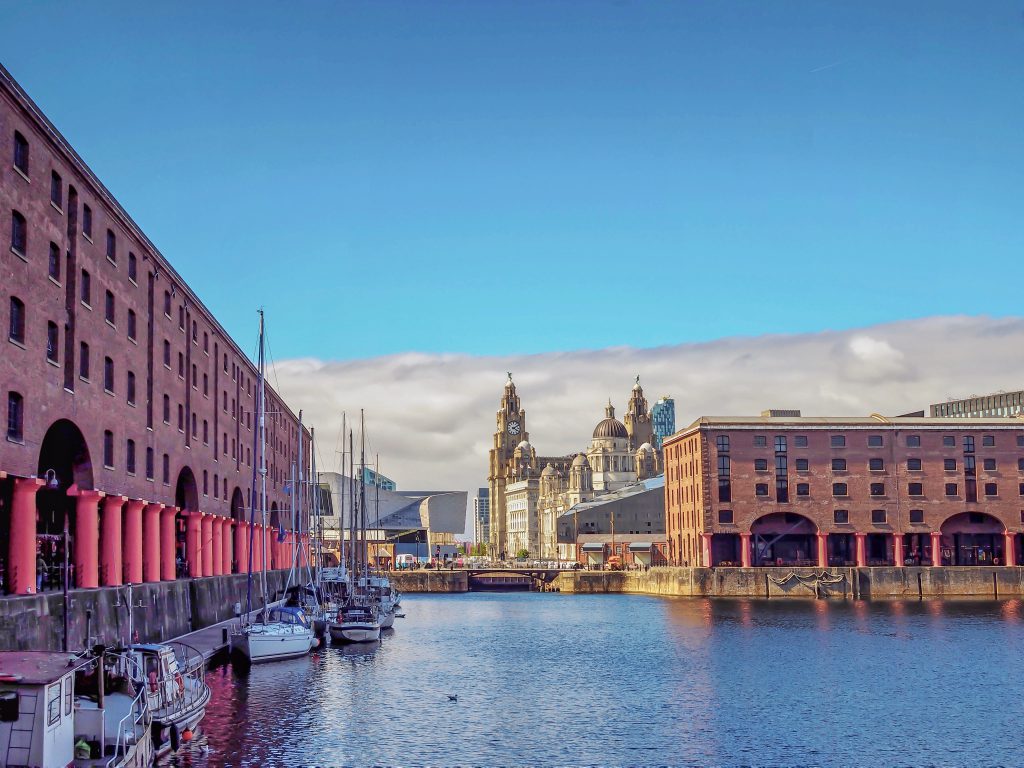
(796,491)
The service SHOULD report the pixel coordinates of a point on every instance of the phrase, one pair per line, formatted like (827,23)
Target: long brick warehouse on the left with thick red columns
(130,410)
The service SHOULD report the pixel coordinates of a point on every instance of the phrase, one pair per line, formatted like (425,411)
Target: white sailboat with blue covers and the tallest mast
(285,631)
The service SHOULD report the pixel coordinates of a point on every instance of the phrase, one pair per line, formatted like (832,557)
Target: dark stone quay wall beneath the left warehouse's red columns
(163,611)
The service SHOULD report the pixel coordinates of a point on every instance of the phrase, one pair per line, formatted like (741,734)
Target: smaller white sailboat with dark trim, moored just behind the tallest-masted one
(358,620)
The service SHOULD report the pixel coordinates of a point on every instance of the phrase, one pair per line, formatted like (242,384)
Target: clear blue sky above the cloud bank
(503,179)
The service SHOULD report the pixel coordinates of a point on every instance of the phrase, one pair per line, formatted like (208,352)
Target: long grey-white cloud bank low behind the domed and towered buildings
(432,417)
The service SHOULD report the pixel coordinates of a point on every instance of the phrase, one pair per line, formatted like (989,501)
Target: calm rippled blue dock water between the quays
(549,679)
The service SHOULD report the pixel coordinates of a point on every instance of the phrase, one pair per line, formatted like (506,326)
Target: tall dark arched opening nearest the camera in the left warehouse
(64,461)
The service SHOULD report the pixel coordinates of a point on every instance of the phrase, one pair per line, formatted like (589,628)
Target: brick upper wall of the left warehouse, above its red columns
(141,371)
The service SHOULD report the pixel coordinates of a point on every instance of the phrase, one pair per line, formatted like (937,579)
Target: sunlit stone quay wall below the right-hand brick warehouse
(868,583)
